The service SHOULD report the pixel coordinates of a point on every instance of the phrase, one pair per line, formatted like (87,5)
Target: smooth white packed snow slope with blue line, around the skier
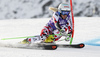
(86,31)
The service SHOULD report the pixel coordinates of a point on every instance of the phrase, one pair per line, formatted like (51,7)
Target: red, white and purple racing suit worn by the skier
(51,32)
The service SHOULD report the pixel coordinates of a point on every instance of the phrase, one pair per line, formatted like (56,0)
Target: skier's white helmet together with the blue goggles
(64,9)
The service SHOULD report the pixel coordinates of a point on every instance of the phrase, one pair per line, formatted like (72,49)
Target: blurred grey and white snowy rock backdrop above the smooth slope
(23,9)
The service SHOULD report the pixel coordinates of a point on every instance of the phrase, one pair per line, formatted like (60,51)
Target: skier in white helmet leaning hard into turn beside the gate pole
(56,27)
